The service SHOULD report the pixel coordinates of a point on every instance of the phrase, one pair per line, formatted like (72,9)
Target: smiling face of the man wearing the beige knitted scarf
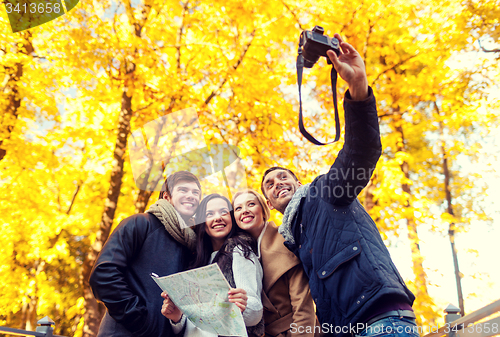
(186,196)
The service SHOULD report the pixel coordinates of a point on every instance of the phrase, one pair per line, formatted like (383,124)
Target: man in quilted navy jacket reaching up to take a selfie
(354,283)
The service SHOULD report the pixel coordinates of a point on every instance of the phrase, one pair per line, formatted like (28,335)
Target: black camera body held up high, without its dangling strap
(316,44)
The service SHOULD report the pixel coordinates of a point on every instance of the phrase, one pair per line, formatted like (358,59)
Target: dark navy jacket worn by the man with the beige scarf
(139,246)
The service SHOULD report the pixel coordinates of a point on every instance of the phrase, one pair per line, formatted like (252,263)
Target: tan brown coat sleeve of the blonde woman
(303,313)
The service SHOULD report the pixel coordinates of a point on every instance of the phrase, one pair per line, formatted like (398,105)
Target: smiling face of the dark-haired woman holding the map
(218,222)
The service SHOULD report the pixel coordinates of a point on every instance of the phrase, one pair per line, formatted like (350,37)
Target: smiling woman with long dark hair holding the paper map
(221,241)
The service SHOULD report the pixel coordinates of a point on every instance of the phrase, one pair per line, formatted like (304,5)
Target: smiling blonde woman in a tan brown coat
(287,301)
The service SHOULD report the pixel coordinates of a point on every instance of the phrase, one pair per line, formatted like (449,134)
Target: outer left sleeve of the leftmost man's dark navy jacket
(108,281)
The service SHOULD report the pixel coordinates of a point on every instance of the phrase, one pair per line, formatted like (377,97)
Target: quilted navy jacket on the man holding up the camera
(340,247)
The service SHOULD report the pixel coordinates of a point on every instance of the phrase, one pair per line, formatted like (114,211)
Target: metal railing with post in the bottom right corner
(471,325)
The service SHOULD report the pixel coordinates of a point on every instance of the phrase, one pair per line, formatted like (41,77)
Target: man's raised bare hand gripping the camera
(350,66)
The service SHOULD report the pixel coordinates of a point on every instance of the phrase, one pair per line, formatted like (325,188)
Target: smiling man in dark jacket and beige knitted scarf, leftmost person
(158,241)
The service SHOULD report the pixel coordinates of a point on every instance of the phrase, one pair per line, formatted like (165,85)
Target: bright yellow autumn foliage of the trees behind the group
(63,86)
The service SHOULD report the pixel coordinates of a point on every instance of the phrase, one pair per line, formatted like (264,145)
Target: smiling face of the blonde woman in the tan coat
(248,214)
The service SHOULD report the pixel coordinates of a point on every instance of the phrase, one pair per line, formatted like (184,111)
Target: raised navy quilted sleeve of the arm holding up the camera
(355,163)
